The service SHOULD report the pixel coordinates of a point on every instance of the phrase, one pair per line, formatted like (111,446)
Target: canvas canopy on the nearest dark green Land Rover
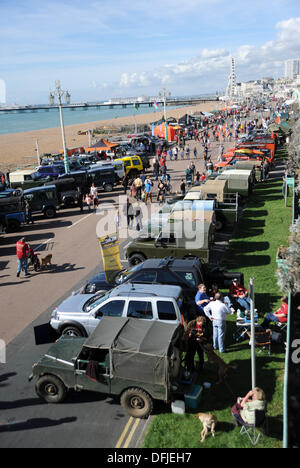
(139,348)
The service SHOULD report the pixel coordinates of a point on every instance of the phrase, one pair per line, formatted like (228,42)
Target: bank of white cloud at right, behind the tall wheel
(250,60)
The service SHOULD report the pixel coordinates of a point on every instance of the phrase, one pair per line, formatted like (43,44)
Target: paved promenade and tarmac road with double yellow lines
(84,419)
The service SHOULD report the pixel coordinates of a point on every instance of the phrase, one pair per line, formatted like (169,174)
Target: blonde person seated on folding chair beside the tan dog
(244,409)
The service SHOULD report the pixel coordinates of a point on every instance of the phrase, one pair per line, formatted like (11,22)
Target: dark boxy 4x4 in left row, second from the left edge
(43,200)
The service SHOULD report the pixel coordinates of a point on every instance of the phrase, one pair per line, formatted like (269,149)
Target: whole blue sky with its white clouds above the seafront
(105,49)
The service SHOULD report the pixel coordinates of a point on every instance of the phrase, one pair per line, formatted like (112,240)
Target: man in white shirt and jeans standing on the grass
(216,311)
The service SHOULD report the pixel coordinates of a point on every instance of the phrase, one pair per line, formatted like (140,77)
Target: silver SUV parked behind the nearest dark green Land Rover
(79,315)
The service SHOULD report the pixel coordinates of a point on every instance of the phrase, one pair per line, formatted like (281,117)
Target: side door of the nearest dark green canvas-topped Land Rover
(92,370)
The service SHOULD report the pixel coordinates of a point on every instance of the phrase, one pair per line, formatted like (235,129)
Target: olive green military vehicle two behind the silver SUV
(186,237)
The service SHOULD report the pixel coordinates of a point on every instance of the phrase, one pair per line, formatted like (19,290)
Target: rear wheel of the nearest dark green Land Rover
(137,403)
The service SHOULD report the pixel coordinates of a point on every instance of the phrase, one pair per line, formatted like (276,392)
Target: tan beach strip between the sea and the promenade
(19,149)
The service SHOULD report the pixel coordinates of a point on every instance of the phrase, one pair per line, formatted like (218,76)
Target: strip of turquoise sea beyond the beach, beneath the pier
(16,122)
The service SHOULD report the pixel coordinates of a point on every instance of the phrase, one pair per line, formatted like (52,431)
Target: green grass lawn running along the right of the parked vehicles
(263,227)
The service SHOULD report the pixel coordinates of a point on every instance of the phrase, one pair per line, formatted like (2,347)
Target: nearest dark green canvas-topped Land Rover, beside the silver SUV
(138,360)
